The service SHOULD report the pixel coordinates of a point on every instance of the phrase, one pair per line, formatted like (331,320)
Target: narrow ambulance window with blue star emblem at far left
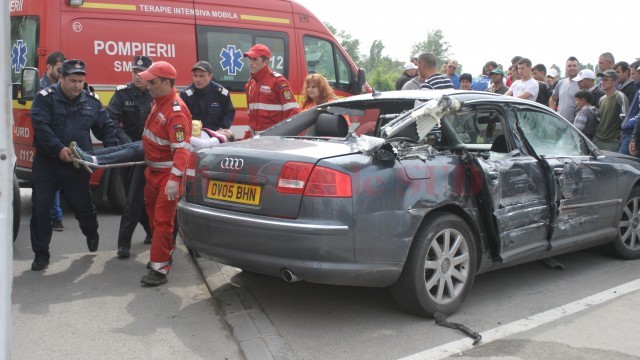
(24,44)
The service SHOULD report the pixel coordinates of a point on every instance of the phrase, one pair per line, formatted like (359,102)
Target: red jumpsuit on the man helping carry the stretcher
(166,138)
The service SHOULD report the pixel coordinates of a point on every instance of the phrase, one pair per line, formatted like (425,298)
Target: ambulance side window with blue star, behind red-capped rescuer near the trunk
(223,49)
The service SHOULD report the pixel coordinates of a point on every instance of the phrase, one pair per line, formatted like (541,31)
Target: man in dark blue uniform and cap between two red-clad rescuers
(207,100)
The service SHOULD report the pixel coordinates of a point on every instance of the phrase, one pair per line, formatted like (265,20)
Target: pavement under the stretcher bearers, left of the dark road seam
(92,305)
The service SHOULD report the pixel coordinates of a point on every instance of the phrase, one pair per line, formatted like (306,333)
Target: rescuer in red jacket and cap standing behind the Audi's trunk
(269,97)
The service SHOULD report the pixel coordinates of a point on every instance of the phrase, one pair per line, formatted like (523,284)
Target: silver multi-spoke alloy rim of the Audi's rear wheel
(446,266)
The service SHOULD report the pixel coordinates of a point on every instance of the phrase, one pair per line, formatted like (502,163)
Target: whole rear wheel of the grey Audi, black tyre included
(436,281)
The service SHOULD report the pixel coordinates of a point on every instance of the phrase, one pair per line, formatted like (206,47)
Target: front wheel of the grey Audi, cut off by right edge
(627,244)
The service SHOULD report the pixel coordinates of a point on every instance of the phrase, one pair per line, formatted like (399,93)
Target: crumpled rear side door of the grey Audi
(512,192)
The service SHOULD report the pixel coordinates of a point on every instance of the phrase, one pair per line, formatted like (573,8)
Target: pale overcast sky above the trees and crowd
(544,31)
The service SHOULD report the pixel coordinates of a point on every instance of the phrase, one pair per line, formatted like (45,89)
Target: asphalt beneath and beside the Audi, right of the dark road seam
(333,322)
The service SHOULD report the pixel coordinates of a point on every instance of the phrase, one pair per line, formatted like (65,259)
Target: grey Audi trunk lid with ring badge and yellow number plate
(243,176)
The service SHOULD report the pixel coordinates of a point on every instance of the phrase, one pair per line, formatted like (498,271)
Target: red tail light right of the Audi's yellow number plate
(310,180)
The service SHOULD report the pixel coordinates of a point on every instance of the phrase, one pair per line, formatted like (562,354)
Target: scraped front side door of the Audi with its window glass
(584,192)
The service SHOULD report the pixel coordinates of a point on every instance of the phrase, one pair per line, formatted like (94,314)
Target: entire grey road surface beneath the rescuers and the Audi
(92,306)
